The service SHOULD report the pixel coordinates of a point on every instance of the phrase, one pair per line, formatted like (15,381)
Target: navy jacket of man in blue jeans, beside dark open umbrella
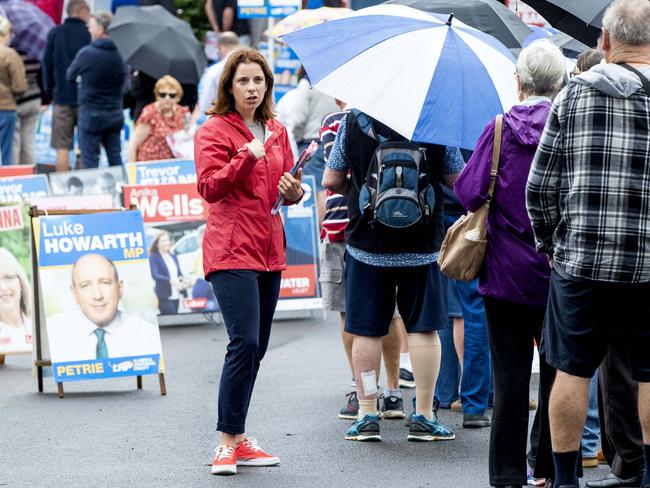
(102,74)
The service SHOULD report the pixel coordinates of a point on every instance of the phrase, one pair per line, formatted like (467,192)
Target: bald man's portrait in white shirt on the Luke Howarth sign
(99,329)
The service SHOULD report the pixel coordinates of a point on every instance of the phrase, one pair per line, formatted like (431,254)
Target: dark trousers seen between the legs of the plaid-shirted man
(621,435)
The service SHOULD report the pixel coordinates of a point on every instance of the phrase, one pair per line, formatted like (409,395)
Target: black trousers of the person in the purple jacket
(512,327)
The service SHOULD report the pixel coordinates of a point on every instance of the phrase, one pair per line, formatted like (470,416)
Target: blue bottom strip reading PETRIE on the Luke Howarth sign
(106,368)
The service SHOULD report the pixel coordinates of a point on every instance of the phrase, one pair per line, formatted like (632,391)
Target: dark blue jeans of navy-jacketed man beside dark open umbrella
(98,128)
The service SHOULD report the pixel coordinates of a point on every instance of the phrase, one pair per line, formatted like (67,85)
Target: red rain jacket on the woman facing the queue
(241,191)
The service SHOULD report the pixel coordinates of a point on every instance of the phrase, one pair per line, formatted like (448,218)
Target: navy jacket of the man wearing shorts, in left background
(63,43)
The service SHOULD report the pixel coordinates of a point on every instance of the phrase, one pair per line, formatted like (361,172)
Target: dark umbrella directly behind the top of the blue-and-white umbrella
(488,16)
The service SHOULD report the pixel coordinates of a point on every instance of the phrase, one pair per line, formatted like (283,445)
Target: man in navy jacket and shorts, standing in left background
(63,43)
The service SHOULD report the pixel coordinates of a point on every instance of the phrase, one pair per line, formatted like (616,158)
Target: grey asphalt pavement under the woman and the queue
(109,434)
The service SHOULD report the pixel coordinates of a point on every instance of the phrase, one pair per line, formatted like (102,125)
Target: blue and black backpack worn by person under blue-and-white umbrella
(397,193)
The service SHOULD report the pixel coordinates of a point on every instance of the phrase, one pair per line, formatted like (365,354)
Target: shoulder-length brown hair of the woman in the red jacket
(225,101)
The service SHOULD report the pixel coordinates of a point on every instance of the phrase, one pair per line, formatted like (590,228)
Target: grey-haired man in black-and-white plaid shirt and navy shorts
(588,199)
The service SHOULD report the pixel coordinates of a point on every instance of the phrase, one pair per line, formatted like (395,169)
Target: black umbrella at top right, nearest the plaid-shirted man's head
(581,20)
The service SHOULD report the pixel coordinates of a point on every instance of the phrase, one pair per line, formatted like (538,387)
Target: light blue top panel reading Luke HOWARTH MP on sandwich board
(119,236)
